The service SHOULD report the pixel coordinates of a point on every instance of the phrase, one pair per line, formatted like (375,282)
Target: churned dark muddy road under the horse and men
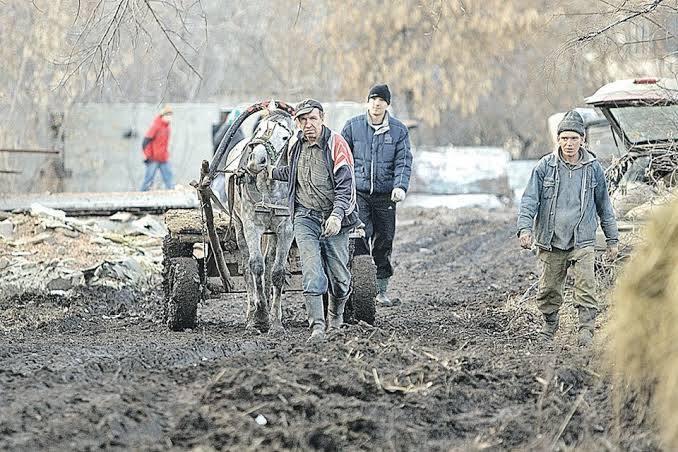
(458,366)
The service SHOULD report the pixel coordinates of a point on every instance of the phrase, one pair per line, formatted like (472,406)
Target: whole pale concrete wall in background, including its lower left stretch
(102,147)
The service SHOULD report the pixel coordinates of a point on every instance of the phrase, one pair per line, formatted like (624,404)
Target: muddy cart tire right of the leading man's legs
(364,289)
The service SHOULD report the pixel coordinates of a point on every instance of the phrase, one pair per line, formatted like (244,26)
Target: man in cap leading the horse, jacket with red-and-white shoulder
(322,202)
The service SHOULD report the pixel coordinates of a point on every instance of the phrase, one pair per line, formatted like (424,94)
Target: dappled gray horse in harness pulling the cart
(259,209)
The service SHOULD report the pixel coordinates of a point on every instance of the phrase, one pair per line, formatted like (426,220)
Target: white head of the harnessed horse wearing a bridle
(269,142)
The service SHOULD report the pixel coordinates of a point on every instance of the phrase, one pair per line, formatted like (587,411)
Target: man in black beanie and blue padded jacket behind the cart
(383,164)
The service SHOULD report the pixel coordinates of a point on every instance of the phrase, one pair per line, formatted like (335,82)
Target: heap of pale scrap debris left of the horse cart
(48,251)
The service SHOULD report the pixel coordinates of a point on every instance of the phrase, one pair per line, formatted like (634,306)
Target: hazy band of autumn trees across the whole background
(487,71)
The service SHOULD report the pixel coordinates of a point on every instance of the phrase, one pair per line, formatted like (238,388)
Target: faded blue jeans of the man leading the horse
(324,260)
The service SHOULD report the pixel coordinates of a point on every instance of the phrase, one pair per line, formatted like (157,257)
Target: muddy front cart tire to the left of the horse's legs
(183,294)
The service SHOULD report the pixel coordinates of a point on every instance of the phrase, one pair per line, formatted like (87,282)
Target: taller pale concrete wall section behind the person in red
(102,148)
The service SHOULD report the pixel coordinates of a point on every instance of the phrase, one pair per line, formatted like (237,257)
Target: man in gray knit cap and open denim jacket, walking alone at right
(561,203)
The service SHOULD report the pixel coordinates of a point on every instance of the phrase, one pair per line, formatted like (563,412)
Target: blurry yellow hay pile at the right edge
(644,327)
